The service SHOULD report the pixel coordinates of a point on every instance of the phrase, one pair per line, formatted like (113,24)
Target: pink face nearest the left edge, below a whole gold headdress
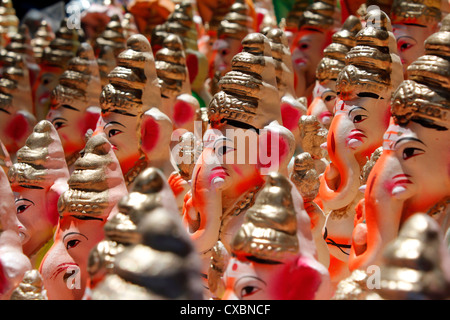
(37,219)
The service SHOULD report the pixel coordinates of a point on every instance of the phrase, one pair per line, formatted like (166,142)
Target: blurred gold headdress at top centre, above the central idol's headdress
(237,22)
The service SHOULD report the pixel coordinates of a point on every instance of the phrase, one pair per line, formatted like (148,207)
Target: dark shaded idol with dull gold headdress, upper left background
(52,64)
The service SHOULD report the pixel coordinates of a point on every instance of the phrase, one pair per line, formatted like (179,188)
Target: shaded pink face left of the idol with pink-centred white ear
(72,125)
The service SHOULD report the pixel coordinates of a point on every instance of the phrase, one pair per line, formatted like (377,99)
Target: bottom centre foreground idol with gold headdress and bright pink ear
(272,253)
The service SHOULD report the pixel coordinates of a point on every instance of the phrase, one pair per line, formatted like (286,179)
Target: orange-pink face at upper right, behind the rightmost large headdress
(410,42)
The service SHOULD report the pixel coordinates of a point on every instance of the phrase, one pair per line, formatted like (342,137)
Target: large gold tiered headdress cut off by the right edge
(425,95)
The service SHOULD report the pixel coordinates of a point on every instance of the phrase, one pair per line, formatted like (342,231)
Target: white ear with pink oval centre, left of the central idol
(156,130)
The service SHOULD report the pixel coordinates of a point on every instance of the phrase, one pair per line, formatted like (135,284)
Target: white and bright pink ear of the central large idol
(276,148)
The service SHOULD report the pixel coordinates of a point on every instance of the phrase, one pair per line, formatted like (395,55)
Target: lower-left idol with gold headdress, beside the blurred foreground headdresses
(95,187)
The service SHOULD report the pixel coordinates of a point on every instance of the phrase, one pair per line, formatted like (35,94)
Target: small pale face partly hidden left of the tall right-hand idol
(324,100)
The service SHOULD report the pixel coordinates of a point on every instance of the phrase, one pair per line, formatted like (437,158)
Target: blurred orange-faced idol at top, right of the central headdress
(313,36)
